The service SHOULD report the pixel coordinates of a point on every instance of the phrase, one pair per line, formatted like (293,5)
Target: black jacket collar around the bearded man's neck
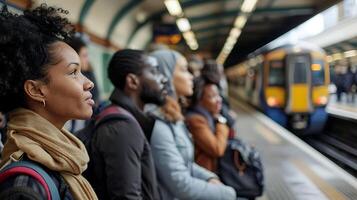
(118,97)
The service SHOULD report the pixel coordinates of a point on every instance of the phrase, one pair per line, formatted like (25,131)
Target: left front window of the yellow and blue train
(276,74)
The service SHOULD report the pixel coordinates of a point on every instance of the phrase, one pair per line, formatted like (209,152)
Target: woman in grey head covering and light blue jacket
(178,175)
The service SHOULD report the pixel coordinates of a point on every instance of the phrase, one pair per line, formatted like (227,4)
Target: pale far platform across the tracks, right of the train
(343,108)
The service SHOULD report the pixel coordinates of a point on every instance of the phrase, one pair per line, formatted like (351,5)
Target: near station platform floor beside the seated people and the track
(293,169)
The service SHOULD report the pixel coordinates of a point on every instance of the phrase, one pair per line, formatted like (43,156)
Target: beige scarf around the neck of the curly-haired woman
(30,134)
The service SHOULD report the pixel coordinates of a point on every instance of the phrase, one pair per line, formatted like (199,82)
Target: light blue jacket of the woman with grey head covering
(178,175)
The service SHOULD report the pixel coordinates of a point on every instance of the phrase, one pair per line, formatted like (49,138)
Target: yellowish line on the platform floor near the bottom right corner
(324,186)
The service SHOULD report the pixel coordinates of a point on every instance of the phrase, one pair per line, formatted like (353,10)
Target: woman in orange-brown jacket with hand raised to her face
(208,127)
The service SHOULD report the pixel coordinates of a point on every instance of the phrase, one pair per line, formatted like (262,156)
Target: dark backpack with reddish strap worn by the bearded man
(86,135)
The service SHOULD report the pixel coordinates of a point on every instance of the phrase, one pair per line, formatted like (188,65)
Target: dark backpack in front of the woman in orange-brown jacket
(241,168)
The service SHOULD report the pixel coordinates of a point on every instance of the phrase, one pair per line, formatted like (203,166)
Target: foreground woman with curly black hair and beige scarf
(42,87)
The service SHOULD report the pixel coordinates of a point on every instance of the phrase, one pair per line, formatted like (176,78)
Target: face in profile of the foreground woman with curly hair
(67,91)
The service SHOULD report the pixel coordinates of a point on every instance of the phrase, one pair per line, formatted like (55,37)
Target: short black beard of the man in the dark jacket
(148,95)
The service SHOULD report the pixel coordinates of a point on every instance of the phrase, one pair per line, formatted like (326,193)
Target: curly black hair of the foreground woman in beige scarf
(25,43)
